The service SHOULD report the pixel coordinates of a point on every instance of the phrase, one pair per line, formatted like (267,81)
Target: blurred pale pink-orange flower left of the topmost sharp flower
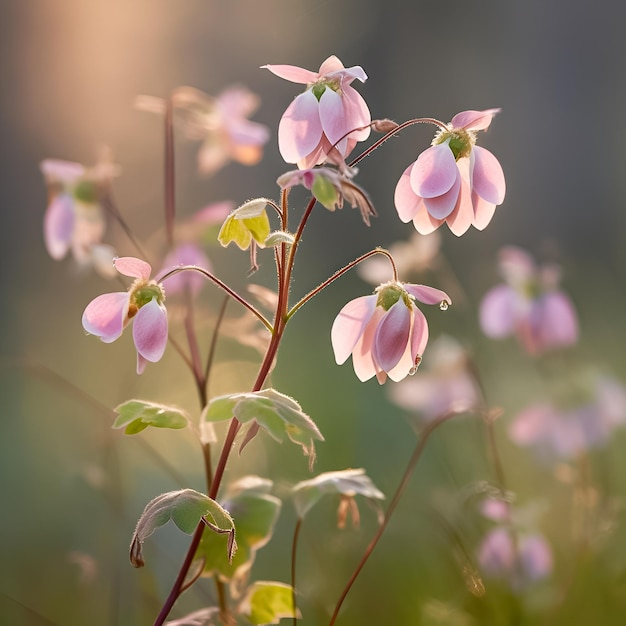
(220,122)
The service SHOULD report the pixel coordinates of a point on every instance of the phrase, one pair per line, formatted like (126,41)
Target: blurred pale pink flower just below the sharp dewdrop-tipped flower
(446,386)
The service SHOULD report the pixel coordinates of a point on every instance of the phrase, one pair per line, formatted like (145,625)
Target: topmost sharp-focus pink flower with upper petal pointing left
(323,115)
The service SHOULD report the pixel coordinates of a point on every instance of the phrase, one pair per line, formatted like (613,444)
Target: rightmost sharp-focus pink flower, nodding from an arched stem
(454,180)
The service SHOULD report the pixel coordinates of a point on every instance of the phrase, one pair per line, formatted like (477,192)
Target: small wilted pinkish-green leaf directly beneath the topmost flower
(330,187)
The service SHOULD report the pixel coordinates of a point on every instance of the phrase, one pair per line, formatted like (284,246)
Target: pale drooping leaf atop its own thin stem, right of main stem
(348,482)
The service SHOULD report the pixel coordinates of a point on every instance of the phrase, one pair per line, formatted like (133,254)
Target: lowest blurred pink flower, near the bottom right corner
(519,560)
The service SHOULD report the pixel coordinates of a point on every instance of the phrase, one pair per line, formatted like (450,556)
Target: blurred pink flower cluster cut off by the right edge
(563,433)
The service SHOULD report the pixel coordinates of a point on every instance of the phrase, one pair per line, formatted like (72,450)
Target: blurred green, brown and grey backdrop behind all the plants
(72,488)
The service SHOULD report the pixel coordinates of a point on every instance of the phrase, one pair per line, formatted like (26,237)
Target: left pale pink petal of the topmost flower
(300,128)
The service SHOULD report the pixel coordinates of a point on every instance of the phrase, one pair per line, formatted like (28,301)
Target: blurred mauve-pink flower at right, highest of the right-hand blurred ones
(529,305)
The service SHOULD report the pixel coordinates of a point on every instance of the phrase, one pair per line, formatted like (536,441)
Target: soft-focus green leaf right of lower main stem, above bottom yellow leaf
(256,512)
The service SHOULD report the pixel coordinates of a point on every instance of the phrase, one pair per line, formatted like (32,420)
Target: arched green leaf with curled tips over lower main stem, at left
(186,508)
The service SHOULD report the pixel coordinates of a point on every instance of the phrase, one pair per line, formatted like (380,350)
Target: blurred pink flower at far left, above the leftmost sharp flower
(75,220)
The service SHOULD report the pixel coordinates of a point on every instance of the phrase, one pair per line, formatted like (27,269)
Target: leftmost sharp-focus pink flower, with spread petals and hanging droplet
(107,315)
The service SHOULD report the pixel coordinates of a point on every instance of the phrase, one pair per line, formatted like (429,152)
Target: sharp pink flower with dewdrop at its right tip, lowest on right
(385,332)
